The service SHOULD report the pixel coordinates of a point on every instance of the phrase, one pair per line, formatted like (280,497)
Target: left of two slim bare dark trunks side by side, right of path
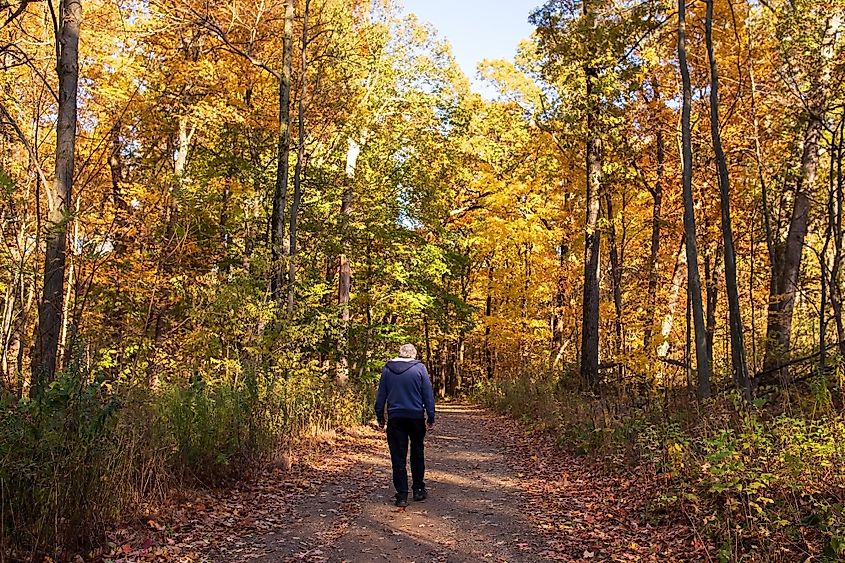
(693,280)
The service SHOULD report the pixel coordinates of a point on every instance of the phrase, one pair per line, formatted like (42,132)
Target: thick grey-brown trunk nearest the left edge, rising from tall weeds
(59,195)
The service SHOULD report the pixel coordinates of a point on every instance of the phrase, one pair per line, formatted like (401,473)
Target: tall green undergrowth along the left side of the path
(93,448)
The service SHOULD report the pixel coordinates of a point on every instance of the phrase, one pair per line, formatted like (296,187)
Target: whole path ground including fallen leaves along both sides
(496,493)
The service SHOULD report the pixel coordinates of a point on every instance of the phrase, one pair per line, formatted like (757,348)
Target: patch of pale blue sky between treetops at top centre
(477,29)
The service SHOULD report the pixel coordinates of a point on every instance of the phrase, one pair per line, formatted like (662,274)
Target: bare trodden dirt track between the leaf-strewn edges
(473,512)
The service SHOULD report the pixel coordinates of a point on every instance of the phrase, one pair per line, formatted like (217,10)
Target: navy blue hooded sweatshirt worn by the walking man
(406,388)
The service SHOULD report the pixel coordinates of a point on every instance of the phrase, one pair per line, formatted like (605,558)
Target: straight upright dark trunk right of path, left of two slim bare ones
(592,242)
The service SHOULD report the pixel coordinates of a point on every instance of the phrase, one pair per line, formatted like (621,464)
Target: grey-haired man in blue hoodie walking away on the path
(406,389)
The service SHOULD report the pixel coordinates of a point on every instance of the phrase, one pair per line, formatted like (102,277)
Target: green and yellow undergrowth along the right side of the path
(763,482)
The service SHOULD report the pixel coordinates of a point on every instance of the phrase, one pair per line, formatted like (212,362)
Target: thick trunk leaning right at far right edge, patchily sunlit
(784,284)
